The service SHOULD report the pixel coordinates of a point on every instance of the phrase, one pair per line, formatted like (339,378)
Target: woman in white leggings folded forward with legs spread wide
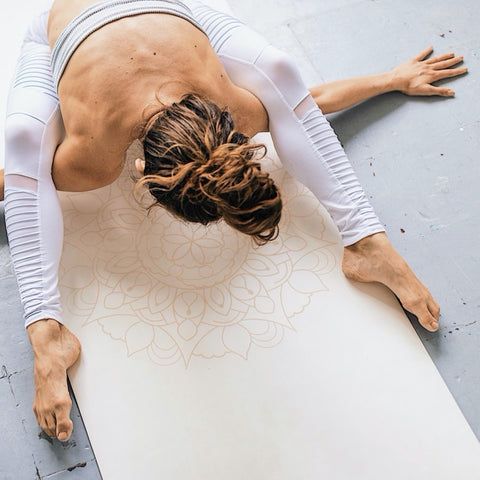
(193,84)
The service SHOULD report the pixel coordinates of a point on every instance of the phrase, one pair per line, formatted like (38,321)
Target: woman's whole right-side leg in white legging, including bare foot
(309,149)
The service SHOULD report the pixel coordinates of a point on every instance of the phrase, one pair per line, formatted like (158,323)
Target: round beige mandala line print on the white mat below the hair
(177,291)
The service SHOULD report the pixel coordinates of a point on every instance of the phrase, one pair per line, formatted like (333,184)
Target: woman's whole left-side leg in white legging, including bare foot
(35,226)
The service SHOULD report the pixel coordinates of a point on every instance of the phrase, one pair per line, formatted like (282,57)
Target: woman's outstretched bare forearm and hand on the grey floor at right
(414,77)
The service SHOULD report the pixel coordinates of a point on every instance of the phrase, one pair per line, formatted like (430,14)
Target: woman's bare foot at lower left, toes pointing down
(56,349)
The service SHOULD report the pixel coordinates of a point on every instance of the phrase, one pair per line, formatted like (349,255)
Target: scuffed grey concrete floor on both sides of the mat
(417,159)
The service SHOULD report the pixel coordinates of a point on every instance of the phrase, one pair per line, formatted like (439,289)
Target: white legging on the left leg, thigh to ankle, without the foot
(33,129)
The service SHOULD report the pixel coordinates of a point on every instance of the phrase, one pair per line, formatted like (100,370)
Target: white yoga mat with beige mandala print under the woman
(205,358)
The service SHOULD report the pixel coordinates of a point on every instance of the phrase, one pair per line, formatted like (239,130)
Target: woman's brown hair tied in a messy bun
(201,170)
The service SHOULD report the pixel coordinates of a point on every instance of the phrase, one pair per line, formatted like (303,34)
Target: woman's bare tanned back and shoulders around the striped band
(117,77)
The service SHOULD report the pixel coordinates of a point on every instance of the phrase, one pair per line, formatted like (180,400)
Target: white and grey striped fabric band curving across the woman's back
(100,14)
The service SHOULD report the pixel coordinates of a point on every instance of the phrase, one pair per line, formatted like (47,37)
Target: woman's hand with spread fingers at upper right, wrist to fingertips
(416,76)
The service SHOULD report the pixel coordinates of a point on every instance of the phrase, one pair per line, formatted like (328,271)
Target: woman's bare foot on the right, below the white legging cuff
(373,259)
